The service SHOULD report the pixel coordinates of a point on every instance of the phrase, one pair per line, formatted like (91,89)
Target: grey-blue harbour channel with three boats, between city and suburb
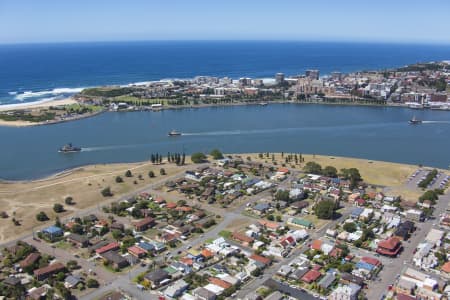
(378,133)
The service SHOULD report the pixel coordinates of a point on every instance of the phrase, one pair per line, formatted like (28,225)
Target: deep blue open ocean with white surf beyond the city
(45,71)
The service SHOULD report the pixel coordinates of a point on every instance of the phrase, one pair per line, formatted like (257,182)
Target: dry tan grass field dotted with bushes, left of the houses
(23,200)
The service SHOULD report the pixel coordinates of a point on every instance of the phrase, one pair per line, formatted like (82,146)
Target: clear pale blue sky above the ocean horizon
(404,21)
